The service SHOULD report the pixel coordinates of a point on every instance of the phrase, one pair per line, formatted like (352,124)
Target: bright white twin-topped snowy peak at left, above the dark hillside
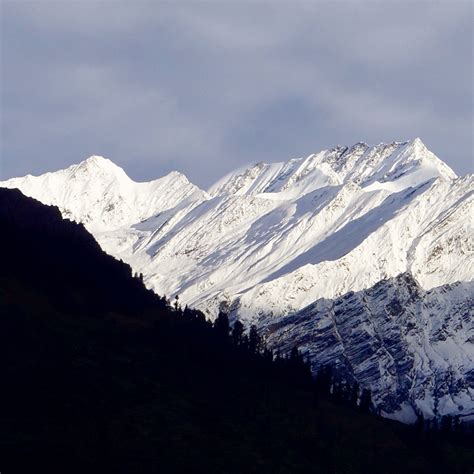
(99,193)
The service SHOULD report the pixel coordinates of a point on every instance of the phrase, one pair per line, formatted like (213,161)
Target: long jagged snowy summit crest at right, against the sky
(394,166)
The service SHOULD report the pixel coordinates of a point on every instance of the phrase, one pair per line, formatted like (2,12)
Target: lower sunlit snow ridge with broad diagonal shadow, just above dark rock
(426,230)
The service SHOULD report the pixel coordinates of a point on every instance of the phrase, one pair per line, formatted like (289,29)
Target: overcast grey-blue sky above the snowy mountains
(205,87)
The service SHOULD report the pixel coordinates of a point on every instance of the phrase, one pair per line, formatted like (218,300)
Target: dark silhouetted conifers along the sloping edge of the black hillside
(327,382)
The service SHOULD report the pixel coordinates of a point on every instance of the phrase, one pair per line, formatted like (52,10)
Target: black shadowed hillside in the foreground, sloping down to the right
(101,375)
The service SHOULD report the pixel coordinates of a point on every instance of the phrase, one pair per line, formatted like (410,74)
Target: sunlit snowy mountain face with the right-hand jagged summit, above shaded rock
(277,237)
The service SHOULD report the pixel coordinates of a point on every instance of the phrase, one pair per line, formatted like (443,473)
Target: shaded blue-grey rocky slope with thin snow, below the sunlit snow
(414,349)
